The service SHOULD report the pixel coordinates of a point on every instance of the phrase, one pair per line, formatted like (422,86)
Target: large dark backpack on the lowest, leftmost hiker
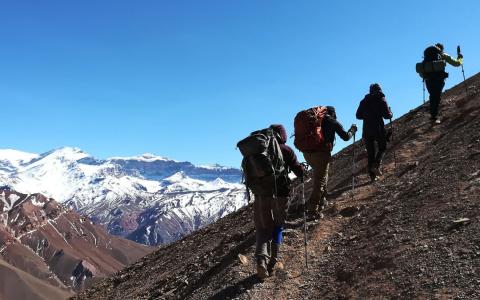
(262,162)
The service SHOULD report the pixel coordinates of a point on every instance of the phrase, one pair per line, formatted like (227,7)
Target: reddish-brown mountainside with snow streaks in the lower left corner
(59,249)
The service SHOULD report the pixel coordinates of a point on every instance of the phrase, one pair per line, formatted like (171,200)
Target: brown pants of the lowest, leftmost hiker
(269,217)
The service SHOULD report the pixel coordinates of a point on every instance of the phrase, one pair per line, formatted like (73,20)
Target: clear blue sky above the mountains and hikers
(188,79)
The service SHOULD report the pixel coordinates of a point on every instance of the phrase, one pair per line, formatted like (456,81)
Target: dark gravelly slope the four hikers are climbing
(412,235)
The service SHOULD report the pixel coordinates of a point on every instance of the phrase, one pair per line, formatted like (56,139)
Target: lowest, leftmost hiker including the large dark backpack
(267,161)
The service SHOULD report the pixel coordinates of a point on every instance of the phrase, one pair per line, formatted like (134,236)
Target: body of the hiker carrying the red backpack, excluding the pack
(320,161)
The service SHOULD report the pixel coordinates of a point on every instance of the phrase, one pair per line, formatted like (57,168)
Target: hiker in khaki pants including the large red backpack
(315,130)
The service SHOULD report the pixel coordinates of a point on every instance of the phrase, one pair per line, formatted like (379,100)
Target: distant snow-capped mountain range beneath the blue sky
(149,199)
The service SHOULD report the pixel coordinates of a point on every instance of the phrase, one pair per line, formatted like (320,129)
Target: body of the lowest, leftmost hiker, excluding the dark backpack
(270,211)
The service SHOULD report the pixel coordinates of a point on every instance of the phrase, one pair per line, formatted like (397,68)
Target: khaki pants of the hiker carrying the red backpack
(320,162)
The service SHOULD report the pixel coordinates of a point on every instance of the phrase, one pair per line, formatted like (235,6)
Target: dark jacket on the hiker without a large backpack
(372,110)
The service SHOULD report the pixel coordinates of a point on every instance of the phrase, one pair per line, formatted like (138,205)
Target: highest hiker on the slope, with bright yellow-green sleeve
(435,80)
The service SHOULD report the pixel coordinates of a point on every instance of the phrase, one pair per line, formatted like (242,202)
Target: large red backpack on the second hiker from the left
(308,129)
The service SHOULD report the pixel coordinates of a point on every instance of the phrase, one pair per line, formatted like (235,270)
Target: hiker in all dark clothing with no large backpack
(372,110)
